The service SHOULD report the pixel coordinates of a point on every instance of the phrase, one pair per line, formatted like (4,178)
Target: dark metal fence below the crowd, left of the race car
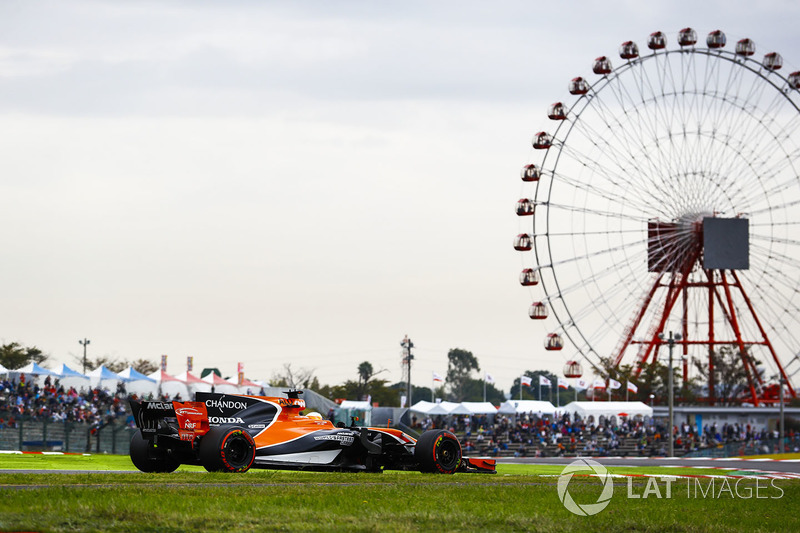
(72,437)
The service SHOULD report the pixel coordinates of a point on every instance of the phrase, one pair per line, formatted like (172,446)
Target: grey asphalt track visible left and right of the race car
(786,466)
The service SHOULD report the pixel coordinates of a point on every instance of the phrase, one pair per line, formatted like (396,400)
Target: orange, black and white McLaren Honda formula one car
(231,433)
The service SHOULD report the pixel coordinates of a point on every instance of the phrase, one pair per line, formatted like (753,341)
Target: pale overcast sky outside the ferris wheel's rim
(292,182)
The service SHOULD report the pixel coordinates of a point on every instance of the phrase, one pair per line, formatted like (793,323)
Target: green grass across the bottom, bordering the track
(519,498)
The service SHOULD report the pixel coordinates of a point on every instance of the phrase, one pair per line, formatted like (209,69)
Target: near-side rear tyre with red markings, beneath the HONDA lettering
(227,449)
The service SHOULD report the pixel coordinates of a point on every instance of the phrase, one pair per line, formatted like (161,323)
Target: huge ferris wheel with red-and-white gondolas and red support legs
(665,196)
